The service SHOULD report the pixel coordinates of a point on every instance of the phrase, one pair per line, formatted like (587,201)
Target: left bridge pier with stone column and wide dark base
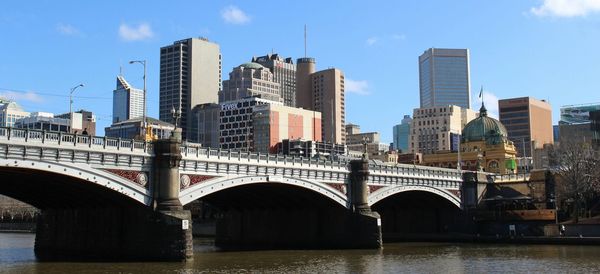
(124,230)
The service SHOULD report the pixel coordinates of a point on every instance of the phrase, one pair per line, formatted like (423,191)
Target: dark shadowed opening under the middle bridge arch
(276,216)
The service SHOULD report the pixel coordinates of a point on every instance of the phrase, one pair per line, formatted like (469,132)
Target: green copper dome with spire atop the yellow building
(492,129)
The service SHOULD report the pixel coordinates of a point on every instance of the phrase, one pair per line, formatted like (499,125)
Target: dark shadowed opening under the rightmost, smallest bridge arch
(414,214)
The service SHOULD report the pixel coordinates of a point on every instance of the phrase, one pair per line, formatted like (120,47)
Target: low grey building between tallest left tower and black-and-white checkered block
(204,125)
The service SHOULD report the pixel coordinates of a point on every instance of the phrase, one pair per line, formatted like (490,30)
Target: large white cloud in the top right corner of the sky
(566,8)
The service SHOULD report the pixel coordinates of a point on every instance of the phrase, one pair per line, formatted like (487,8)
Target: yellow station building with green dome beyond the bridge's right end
(484,145)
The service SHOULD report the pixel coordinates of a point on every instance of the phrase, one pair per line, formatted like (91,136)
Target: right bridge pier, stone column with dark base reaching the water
(364,224)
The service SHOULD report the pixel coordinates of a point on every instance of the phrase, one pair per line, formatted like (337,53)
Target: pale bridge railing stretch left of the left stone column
(62,138)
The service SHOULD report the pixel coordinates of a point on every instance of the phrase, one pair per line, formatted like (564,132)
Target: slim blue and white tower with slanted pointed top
(128,102)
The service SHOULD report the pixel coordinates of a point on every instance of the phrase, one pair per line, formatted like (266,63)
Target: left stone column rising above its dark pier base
(166,172)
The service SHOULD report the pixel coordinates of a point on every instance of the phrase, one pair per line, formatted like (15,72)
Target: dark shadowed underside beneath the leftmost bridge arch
(50,190)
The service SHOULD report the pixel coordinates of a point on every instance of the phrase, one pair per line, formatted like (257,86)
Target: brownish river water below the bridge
(16,256)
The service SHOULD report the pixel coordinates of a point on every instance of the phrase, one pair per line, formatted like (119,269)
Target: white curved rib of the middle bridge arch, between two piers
(218,184)
